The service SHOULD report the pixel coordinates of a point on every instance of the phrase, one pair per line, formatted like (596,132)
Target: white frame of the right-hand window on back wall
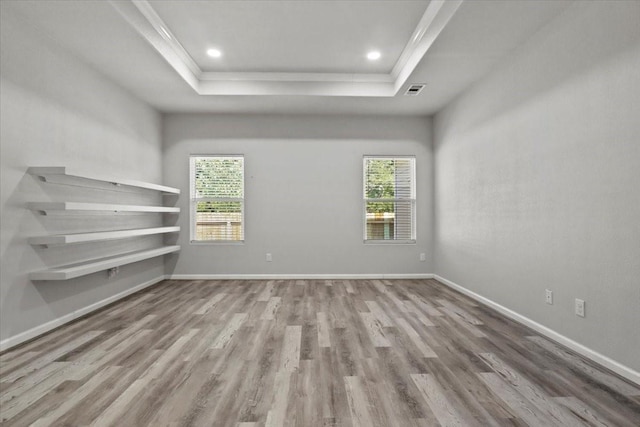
(412,200)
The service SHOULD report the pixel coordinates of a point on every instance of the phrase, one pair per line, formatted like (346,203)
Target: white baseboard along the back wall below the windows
(297,276)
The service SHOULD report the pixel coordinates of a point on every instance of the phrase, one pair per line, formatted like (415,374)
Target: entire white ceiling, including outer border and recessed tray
(290,56)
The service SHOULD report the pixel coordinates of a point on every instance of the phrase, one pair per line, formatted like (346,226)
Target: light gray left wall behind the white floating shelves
(57,111)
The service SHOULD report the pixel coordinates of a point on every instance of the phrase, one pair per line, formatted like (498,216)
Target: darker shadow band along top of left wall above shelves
(76,84)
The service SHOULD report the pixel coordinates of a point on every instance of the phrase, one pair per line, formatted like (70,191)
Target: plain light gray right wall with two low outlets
(537,169)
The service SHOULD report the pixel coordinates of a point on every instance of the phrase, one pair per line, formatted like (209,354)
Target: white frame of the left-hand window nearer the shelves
(193,201)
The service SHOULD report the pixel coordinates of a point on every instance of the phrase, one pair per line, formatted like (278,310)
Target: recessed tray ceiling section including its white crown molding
(291,48)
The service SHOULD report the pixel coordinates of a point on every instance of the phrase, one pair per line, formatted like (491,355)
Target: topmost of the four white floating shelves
(61,175)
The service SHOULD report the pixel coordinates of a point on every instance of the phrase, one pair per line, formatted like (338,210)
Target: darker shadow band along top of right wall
(557,54)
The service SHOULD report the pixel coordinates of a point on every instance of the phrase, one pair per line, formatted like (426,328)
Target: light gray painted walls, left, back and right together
(536,171)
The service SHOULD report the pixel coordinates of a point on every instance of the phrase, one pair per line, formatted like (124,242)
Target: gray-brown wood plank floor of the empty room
(305,353)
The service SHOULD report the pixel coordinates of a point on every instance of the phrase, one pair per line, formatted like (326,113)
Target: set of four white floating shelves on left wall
(62,175)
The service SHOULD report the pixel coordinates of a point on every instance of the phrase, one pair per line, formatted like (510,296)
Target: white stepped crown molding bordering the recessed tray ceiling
(144,19)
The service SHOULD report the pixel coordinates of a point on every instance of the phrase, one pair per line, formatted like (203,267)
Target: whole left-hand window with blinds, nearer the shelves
(217,198)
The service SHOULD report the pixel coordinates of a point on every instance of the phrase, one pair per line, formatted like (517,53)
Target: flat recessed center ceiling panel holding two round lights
(298,36)
